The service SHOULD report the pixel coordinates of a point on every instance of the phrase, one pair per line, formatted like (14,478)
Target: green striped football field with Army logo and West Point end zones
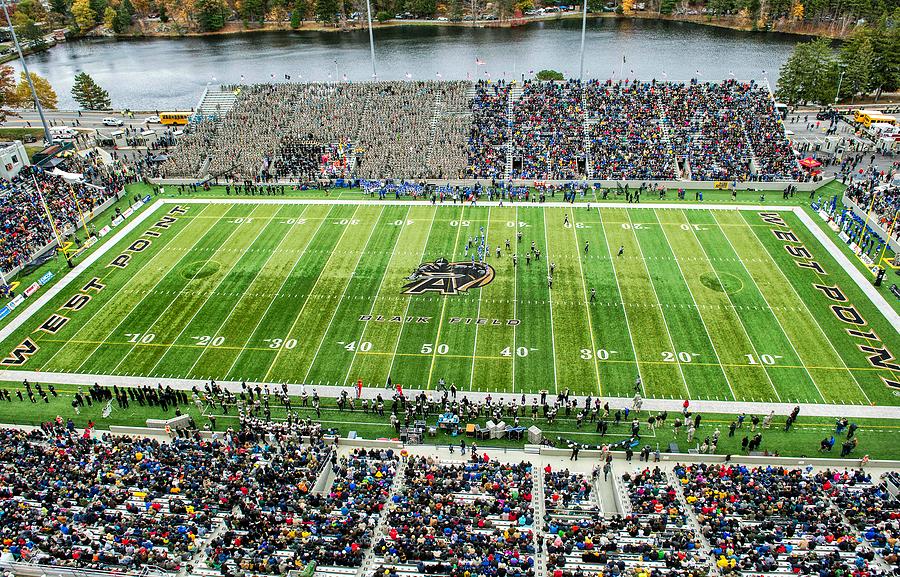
(705,304)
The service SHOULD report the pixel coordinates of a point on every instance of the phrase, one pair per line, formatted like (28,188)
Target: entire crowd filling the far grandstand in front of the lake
(448,130)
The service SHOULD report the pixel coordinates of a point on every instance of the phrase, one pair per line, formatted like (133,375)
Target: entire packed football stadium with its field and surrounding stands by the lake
(456,328)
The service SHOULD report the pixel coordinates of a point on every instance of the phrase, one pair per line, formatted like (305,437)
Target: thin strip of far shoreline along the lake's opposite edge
(802,29)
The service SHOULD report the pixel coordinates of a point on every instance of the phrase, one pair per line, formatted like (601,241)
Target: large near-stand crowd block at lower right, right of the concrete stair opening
(761,520)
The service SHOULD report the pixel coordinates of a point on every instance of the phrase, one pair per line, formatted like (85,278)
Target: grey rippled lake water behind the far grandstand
(172,72)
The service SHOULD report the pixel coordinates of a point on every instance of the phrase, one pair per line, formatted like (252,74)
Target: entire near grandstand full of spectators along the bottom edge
(261,500)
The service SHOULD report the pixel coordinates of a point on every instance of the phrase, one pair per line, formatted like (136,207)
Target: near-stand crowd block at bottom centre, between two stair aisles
(460,519)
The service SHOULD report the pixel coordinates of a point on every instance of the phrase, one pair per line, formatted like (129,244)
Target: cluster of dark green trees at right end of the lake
(866,64)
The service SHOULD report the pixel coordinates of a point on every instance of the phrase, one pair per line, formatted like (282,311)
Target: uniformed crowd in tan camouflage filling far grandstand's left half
(394,129)
